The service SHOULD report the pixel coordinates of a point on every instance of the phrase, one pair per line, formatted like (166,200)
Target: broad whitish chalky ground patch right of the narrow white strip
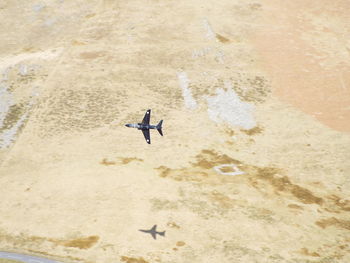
(227,106)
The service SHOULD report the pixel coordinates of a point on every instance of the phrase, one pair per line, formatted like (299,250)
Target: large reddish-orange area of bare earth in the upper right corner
(305,49)
